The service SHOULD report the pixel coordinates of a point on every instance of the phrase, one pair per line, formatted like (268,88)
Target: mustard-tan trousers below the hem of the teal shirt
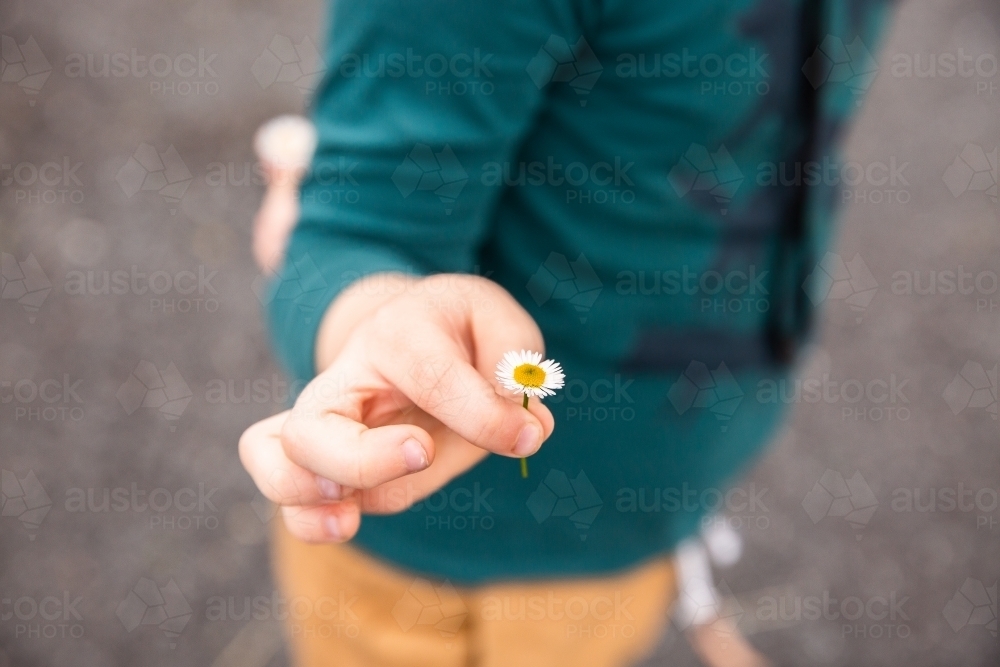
(347,609)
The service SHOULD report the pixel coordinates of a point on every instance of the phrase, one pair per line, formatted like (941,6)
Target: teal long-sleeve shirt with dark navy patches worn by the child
(636,174)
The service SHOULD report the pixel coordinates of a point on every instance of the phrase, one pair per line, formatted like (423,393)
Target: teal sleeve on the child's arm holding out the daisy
(417,96)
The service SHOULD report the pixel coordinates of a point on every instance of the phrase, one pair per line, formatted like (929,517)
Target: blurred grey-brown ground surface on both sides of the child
(141,390)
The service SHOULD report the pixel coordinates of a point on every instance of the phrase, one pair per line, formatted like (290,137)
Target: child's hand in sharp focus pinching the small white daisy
(408,403)
